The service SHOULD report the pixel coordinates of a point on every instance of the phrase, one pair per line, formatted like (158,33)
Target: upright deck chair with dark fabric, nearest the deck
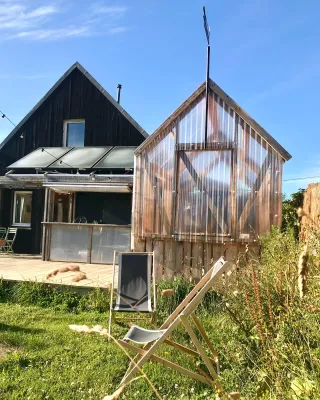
(135,272)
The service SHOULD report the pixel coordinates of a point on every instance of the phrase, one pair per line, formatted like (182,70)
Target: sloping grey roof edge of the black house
(78,66)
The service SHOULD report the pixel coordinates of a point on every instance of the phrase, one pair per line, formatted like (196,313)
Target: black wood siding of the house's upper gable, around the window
(76,97)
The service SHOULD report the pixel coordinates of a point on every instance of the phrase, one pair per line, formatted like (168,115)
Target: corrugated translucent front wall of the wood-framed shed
(228,190)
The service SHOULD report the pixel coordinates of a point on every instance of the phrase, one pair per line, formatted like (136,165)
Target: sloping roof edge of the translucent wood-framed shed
(232,104)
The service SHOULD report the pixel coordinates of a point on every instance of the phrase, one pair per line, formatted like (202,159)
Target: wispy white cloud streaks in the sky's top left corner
(31,20)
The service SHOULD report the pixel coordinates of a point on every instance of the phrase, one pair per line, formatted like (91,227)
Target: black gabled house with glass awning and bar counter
(69,161)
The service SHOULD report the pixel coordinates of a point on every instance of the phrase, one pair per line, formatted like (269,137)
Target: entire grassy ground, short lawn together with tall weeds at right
(264,329)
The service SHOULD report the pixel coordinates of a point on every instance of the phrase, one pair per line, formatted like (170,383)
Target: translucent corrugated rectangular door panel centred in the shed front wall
(203,206)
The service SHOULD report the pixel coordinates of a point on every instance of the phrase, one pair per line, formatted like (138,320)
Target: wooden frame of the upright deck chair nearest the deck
(112,312)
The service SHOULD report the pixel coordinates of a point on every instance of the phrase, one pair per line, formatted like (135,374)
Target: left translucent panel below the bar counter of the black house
(69,243)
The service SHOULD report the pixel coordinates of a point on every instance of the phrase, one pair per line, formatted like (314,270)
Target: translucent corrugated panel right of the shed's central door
(259,184)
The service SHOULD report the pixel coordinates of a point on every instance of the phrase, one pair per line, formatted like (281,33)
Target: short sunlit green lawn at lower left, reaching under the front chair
(42,359)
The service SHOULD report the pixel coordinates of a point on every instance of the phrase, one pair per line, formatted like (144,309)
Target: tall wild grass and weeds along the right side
(277,337)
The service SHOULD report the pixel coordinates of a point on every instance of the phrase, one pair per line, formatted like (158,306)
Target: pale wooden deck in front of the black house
(18,267)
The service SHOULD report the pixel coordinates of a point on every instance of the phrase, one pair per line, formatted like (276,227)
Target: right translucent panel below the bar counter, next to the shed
(106,240)
